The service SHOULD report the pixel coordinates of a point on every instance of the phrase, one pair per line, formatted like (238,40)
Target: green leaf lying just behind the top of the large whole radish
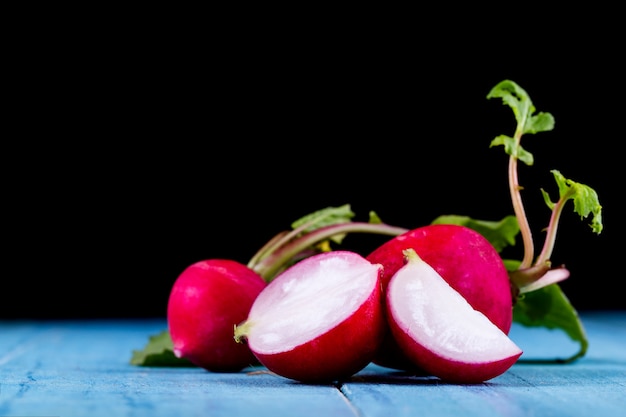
(500,234)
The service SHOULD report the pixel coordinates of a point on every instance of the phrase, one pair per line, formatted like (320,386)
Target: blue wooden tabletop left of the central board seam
(82,369)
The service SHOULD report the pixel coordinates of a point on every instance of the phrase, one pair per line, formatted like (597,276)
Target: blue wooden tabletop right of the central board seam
(593,385)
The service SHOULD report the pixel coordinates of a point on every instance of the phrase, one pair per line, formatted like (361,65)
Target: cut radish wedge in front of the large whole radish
(440,331)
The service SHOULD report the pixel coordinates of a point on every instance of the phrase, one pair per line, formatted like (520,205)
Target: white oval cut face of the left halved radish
(308,300)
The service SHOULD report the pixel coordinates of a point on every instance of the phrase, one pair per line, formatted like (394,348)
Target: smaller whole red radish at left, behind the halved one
(207,300)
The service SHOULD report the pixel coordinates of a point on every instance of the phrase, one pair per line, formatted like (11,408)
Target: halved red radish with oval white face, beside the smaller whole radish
(320,320)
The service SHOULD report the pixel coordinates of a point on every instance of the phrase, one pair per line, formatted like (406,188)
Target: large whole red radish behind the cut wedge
(465,259)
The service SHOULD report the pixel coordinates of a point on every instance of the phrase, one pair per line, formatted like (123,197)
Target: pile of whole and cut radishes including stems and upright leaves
(437,298)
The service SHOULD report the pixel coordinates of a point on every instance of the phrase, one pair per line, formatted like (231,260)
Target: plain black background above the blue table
(141,151)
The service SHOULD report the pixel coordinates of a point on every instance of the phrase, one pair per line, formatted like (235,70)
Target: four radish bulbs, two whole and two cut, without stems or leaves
(437,298)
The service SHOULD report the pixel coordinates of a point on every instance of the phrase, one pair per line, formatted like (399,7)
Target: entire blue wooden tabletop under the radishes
(82,368)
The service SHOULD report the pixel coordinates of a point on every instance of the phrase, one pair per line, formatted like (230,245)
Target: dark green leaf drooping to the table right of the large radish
(549,307)
